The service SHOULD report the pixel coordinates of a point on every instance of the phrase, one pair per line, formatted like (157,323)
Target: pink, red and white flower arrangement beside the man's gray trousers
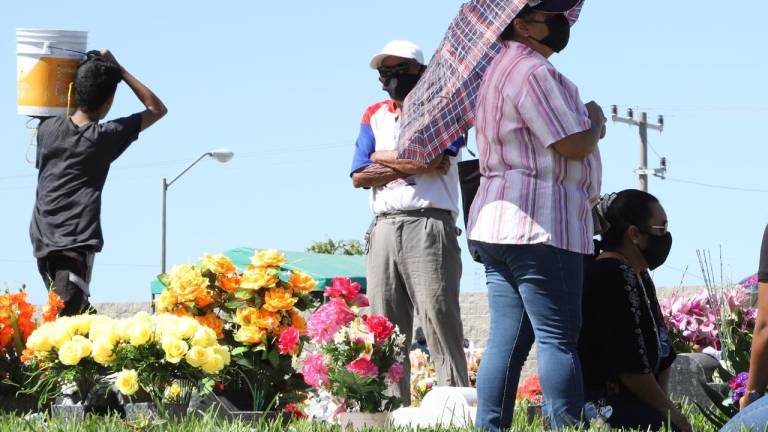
(357,356)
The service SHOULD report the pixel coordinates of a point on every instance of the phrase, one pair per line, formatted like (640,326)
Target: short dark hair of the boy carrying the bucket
(96,81)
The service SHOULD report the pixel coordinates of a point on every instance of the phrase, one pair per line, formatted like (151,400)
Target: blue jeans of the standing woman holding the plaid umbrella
(534,293)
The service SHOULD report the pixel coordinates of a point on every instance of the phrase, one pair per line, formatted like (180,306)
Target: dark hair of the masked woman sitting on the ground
(630,207)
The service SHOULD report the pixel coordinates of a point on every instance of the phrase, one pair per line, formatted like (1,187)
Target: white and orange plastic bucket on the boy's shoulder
(46,62)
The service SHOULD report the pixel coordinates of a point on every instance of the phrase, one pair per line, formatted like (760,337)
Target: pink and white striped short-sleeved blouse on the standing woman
(529,193)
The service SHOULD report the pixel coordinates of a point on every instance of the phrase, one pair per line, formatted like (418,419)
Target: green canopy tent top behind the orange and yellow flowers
(323,268)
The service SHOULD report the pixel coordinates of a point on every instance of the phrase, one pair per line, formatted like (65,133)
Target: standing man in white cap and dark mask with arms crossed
(413,257)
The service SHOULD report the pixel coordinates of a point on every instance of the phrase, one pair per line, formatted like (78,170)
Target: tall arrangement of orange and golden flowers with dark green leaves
(257,312)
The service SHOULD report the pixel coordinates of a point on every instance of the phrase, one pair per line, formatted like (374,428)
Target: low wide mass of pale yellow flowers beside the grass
(148,353)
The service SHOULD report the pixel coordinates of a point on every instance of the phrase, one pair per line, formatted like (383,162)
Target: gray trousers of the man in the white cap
(414,263)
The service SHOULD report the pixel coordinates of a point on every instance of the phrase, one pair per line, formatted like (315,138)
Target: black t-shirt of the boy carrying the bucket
(73,164)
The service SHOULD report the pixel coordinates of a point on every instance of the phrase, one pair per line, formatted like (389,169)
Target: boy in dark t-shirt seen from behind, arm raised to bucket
(73,158)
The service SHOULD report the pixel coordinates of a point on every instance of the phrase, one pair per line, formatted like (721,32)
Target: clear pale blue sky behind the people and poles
(284,85)
